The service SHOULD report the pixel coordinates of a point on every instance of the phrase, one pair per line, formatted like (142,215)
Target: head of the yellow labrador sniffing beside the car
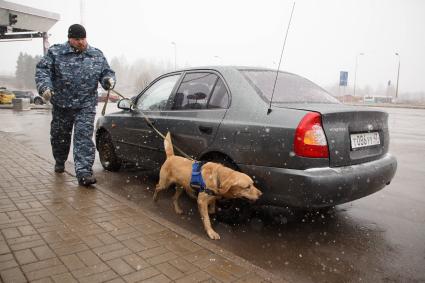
(230,183)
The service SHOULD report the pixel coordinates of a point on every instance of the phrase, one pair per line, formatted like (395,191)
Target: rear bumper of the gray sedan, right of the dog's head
(321,187)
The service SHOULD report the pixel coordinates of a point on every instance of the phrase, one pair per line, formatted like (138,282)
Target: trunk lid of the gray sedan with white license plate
(354,134)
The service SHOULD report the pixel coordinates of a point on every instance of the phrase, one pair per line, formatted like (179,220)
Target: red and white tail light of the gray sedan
(310,139)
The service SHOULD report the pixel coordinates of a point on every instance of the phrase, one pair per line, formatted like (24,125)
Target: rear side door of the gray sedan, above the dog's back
(198,107)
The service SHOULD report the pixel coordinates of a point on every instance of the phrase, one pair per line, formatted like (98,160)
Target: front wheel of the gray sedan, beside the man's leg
(108,158)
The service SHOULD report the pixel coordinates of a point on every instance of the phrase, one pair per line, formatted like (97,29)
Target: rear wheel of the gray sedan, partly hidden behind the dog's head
(232,211)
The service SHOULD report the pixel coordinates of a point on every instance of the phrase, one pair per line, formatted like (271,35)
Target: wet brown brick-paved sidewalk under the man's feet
(52,230)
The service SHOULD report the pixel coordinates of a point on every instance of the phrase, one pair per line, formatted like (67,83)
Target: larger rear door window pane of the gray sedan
(194,91)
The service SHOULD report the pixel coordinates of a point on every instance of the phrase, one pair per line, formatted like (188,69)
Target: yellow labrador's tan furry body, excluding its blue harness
(220,181)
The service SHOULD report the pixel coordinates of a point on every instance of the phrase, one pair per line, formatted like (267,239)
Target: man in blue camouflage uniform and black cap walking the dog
(68,76)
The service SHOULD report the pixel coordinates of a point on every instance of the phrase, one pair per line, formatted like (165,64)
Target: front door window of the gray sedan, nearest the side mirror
(155,98)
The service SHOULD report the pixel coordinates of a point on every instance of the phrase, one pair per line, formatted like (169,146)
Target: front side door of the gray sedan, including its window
(142,144)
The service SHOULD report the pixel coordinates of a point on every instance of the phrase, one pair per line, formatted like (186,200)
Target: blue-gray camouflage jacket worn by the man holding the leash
(73,76)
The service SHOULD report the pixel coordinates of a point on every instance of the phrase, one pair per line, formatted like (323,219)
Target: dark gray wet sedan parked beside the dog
(306,151)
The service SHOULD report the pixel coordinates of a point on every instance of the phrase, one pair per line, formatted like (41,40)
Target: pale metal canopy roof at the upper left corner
(18,22)
